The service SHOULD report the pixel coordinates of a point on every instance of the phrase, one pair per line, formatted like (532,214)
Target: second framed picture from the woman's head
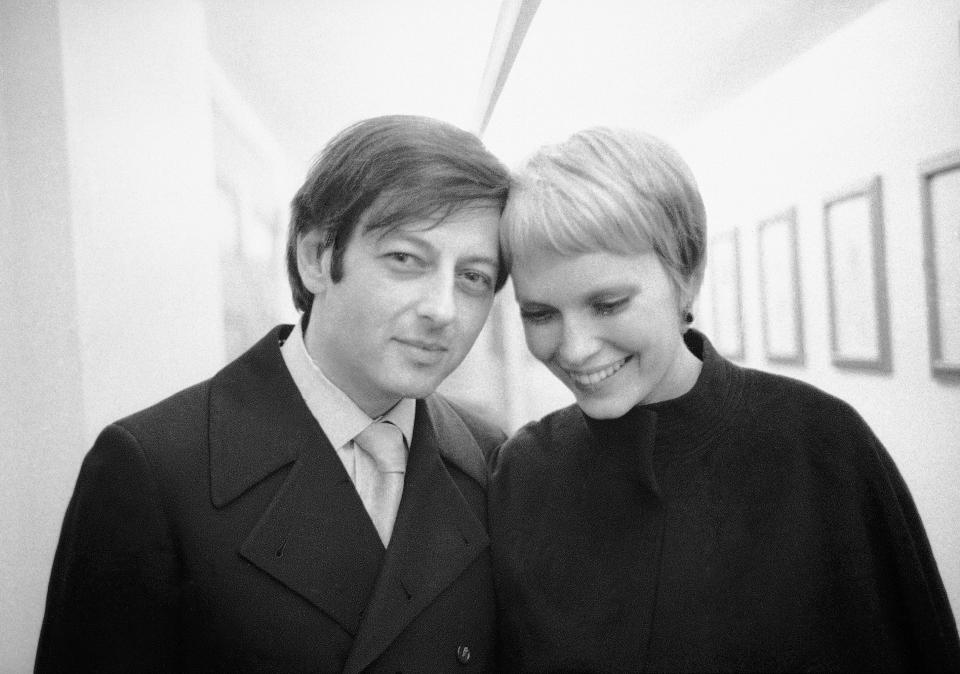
(780,304)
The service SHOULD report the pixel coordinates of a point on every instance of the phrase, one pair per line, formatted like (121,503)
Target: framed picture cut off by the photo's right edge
(940,195)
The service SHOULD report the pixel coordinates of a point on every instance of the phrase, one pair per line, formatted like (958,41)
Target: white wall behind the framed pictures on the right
(877,97)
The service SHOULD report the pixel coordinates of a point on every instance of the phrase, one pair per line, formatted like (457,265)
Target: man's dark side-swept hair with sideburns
(386,172)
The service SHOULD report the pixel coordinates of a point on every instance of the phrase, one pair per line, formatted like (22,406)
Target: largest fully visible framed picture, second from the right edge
(856,278)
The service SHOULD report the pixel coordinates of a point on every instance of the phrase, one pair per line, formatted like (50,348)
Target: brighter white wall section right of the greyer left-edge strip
(141,170)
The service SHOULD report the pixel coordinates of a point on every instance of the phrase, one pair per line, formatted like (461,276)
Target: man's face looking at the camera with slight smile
(408,308)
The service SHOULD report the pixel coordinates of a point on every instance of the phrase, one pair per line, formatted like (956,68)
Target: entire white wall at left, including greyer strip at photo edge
(109,267)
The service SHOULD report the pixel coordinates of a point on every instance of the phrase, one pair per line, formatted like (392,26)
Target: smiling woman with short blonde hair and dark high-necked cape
(686,514)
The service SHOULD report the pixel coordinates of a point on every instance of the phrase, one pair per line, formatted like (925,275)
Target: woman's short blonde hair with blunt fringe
(610,190)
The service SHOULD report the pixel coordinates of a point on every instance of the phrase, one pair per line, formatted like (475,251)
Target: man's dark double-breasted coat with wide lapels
(219,531)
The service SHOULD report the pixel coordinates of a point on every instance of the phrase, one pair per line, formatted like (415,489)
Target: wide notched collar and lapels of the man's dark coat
(315,536)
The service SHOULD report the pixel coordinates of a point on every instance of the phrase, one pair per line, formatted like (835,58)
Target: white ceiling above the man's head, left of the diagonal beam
(311,67)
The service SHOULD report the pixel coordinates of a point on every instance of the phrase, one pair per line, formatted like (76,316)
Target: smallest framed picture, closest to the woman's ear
(725,291)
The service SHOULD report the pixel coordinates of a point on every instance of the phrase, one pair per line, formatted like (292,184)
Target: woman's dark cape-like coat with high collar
(753,524)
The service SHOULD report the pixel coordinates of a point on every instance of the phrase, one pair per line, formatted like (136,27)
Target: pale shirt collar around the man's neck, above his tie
(339,417)
